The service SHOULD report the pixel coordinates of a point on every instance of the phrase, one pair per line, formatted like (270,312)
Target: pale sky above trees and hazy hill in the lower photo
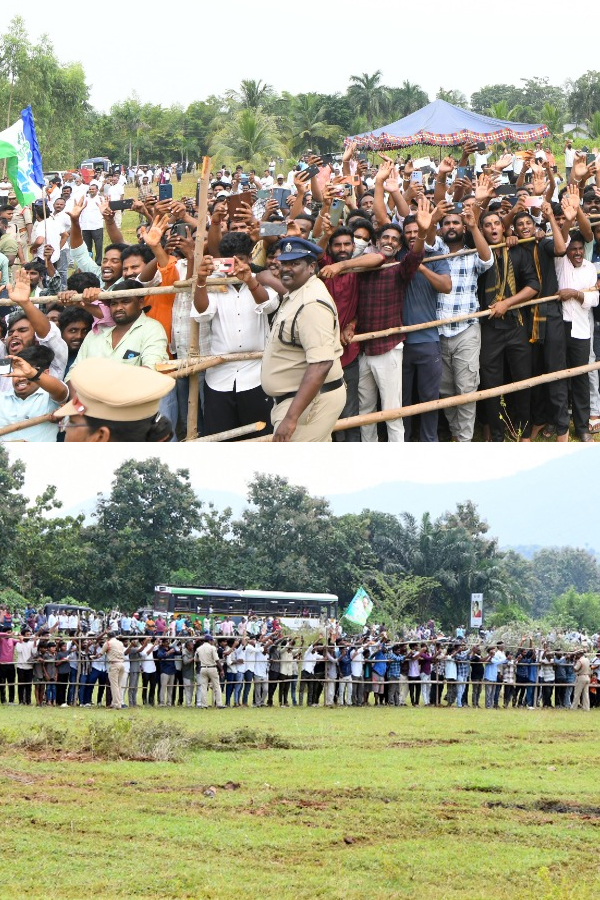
(80,473)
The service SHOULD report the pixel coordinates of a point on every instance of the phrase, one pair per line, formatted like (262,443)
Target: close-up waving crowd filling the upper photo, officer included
(331,250)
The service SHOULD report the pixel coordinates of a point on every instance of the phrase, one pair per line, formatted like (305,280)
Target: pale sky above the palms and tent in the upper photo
(200,51)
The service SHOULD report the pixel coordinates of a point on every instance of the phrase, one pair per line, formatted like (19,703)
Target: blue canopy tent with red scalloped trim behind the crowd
(443,125)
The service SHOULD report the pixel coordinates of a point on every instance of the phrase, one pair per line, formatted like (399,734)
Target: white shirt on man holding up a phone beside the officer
(238,325)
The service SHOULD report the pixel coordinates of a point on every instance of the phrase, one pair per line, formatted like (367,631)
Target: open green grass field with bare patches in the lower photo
(309,803)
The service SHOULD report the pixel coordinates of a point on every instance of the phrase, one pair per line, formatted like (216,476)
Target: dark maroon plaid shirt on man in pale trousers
(380,299)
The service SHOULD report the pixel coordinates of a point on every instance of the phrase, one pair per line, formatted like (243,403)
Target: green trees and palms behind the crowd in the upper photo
(251,123)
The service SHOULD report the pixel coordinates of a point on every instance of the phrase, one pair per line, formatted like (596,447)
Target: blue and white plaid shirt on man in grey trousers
(462,299)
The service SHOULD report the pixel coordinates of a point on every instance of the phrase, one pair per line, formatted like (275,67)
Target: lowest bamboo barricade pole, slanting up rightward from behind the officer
(402,412)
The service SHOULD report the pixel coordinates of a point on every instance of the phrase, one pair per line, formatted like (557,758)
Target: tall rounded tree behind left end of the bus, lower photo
(142,532)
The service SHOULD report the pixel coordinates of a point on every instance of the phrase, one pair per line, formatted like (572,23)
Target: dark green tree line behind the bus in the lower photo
(153,529)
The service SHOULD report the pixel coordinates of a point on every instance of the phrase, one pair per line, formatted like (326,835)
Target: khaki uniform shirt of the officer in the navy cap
(305,330)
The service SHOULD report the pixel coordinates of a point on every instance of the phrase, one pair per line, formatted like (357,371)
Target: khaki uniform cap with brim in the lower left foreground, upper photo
(110,390)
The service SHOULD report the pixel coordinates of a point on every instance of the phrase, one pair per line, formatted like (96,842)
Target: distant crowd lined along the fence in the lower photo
(130,660)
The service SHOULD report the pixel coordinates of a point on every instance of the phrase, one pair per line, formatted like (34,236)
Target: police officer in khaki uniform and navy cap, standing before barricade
(301,366)
